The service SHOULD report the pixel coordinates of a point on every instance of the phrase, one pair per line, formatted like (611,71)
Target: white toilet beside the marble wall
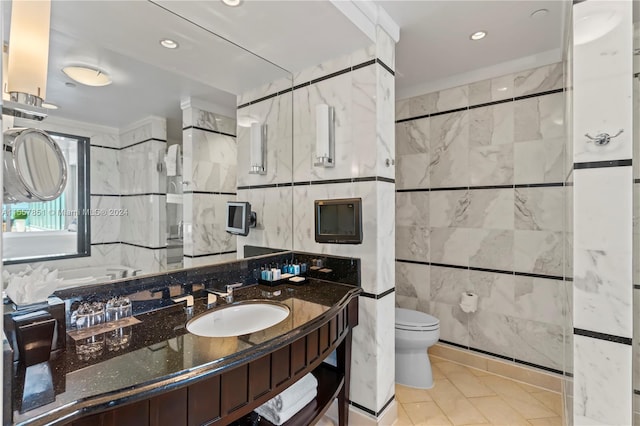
(415,332)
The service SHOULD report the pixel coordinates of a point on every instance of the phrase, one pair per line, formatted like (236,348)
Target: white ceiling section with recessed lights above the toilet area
(435,47)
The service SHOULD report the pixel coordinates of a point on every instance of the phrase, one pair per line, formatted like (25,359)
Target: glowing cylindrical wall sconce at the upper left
(29,51)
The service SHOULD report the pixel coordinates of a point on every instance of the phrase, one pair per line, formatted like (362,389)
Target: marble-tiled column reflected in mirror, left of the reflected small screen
(210,175)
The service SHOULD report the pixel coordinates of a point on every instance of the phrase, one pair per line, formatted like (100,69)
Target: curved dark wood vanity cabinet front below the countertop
(235,392)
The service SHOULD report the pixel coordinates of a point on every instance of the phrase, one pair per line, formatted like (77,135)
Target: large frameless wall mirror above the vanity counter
(166,109)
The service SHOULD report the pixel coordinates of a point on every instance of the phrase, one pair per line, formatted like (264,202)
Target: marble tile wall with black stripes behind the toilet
(480,206)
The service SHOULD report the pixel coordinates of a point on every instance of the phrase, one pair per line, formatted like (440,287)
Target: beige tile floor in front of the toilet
(467,396)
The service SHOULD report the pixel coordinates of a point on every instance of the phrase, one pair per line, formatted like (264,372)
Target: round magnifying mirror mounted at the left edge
(34,167)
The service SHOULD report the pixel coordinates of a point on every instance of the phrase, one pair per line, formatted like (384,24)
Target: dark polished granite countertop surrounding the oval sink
(162,354)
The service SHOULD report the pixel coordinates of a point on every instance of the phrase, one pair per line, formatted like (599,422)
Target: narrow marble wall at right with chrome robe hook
(603,219)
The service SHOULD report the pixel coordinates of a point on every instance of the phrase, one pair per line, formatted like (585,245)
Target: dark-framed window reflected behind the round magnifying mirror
(54,229)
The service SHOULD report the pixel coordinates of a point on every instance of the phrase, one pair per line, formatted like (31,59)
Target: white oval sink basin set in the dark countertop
(238,319)
